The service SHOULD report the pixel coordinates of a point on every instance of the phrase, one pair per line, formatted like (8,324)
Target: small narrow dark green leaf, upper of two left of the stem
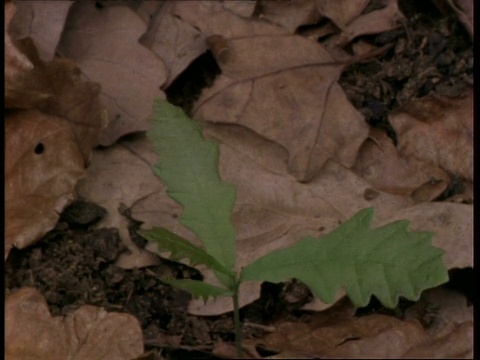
(182,248)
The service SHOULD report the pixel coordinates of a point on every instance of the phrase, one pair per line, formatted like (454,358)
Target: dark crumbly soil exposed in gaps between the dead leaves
(73,264)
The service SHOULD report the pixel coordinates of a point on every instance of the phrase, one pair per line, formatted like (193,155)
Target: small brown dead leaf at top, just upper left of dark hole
(176,42)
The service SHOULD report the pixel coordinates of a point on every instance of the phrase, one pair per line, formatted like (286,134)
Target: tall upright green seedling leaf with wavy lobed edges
(189,168)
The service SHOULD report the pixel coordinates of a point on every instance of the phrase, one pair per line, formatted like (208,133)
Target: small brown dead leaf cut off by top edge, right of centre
(290,14)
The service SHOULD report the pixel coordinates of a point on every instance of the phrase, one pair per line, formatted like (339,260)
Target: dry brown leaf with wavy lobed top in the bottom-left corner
(89,333)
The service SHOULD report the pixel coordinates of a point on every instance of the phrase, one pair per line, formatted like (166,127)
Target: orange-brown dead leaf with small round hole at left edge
(42,165)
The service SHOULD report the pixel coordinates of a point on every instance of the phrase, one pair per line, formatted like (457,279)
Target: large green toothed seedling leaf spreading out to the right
(387,262)
